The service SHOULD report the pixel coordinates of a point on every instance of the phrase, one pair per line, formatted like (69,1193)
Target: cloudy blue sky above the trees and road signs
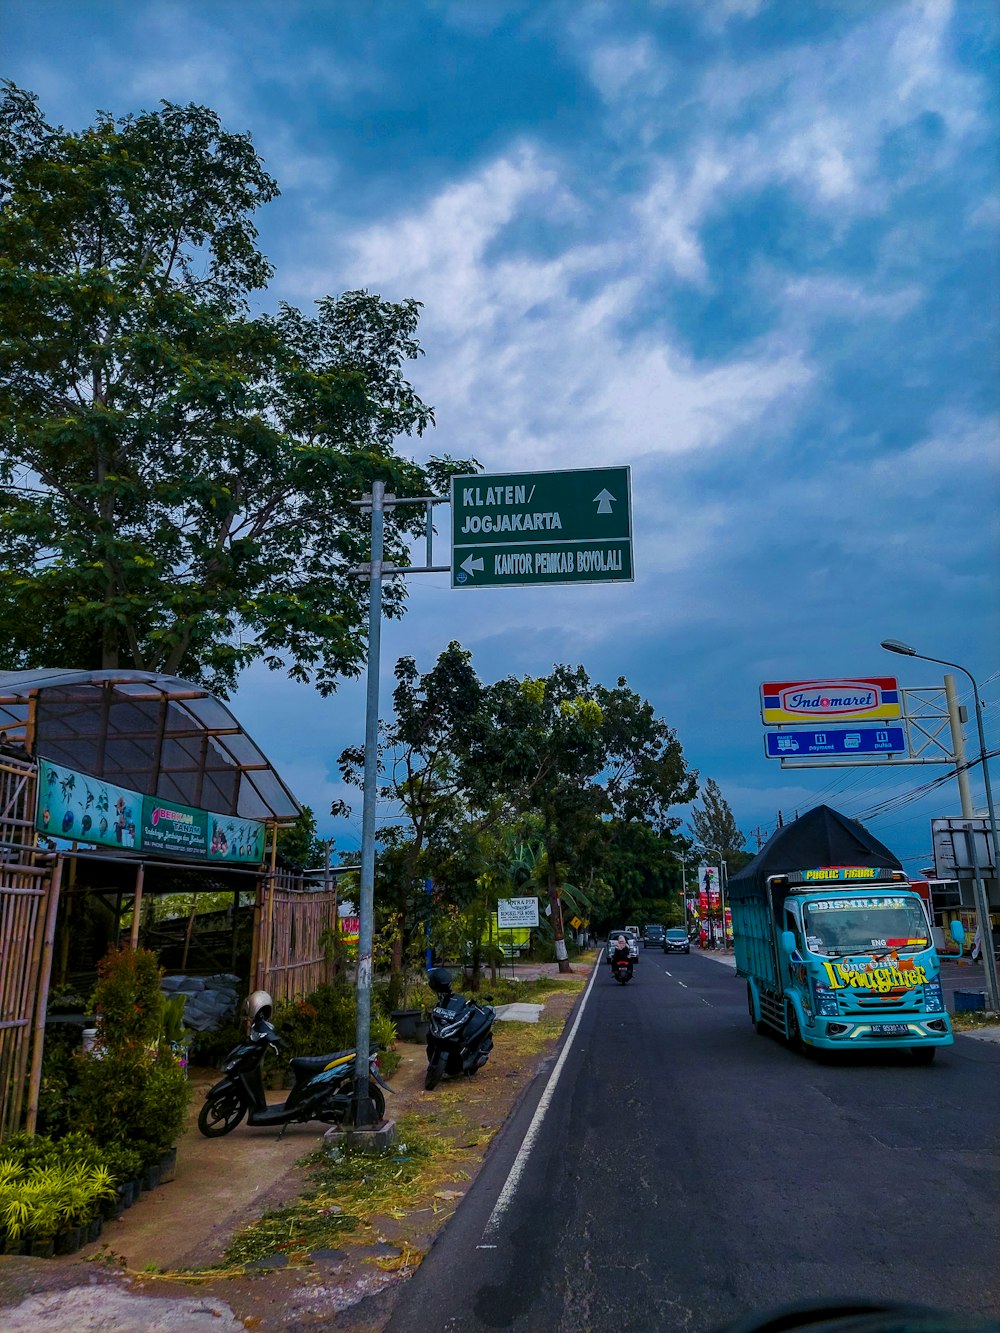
(747,249)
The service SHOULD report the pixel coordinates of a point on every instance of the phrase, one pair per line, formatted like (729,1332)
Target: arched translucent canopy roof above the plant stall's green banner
(157,735)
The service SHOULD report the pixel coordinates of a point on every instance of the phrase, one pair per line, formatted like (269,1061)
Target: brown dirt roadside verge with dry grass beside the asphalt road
(157,1267)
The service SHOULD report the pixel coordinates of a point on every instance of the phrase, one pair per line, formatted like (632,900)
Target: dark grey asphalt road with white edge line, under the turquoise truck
(689,1172)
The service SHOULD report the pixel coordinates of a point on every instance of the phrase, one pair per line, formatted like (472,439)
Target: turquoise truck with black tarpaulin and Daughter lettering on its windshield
(834,943)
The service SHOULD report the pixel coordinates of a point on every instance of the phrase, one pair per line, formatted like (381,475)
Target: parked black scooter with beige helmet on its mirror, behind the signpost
(323,1088)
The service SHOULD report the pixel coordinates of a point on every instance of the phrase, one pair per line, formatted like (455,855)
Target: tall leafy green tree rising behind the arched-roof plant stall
(179,474)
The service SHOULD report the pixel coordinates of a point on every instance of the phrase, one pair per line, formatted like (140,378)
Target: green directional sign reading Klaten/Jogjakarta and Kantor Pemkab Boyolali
(518,529)
